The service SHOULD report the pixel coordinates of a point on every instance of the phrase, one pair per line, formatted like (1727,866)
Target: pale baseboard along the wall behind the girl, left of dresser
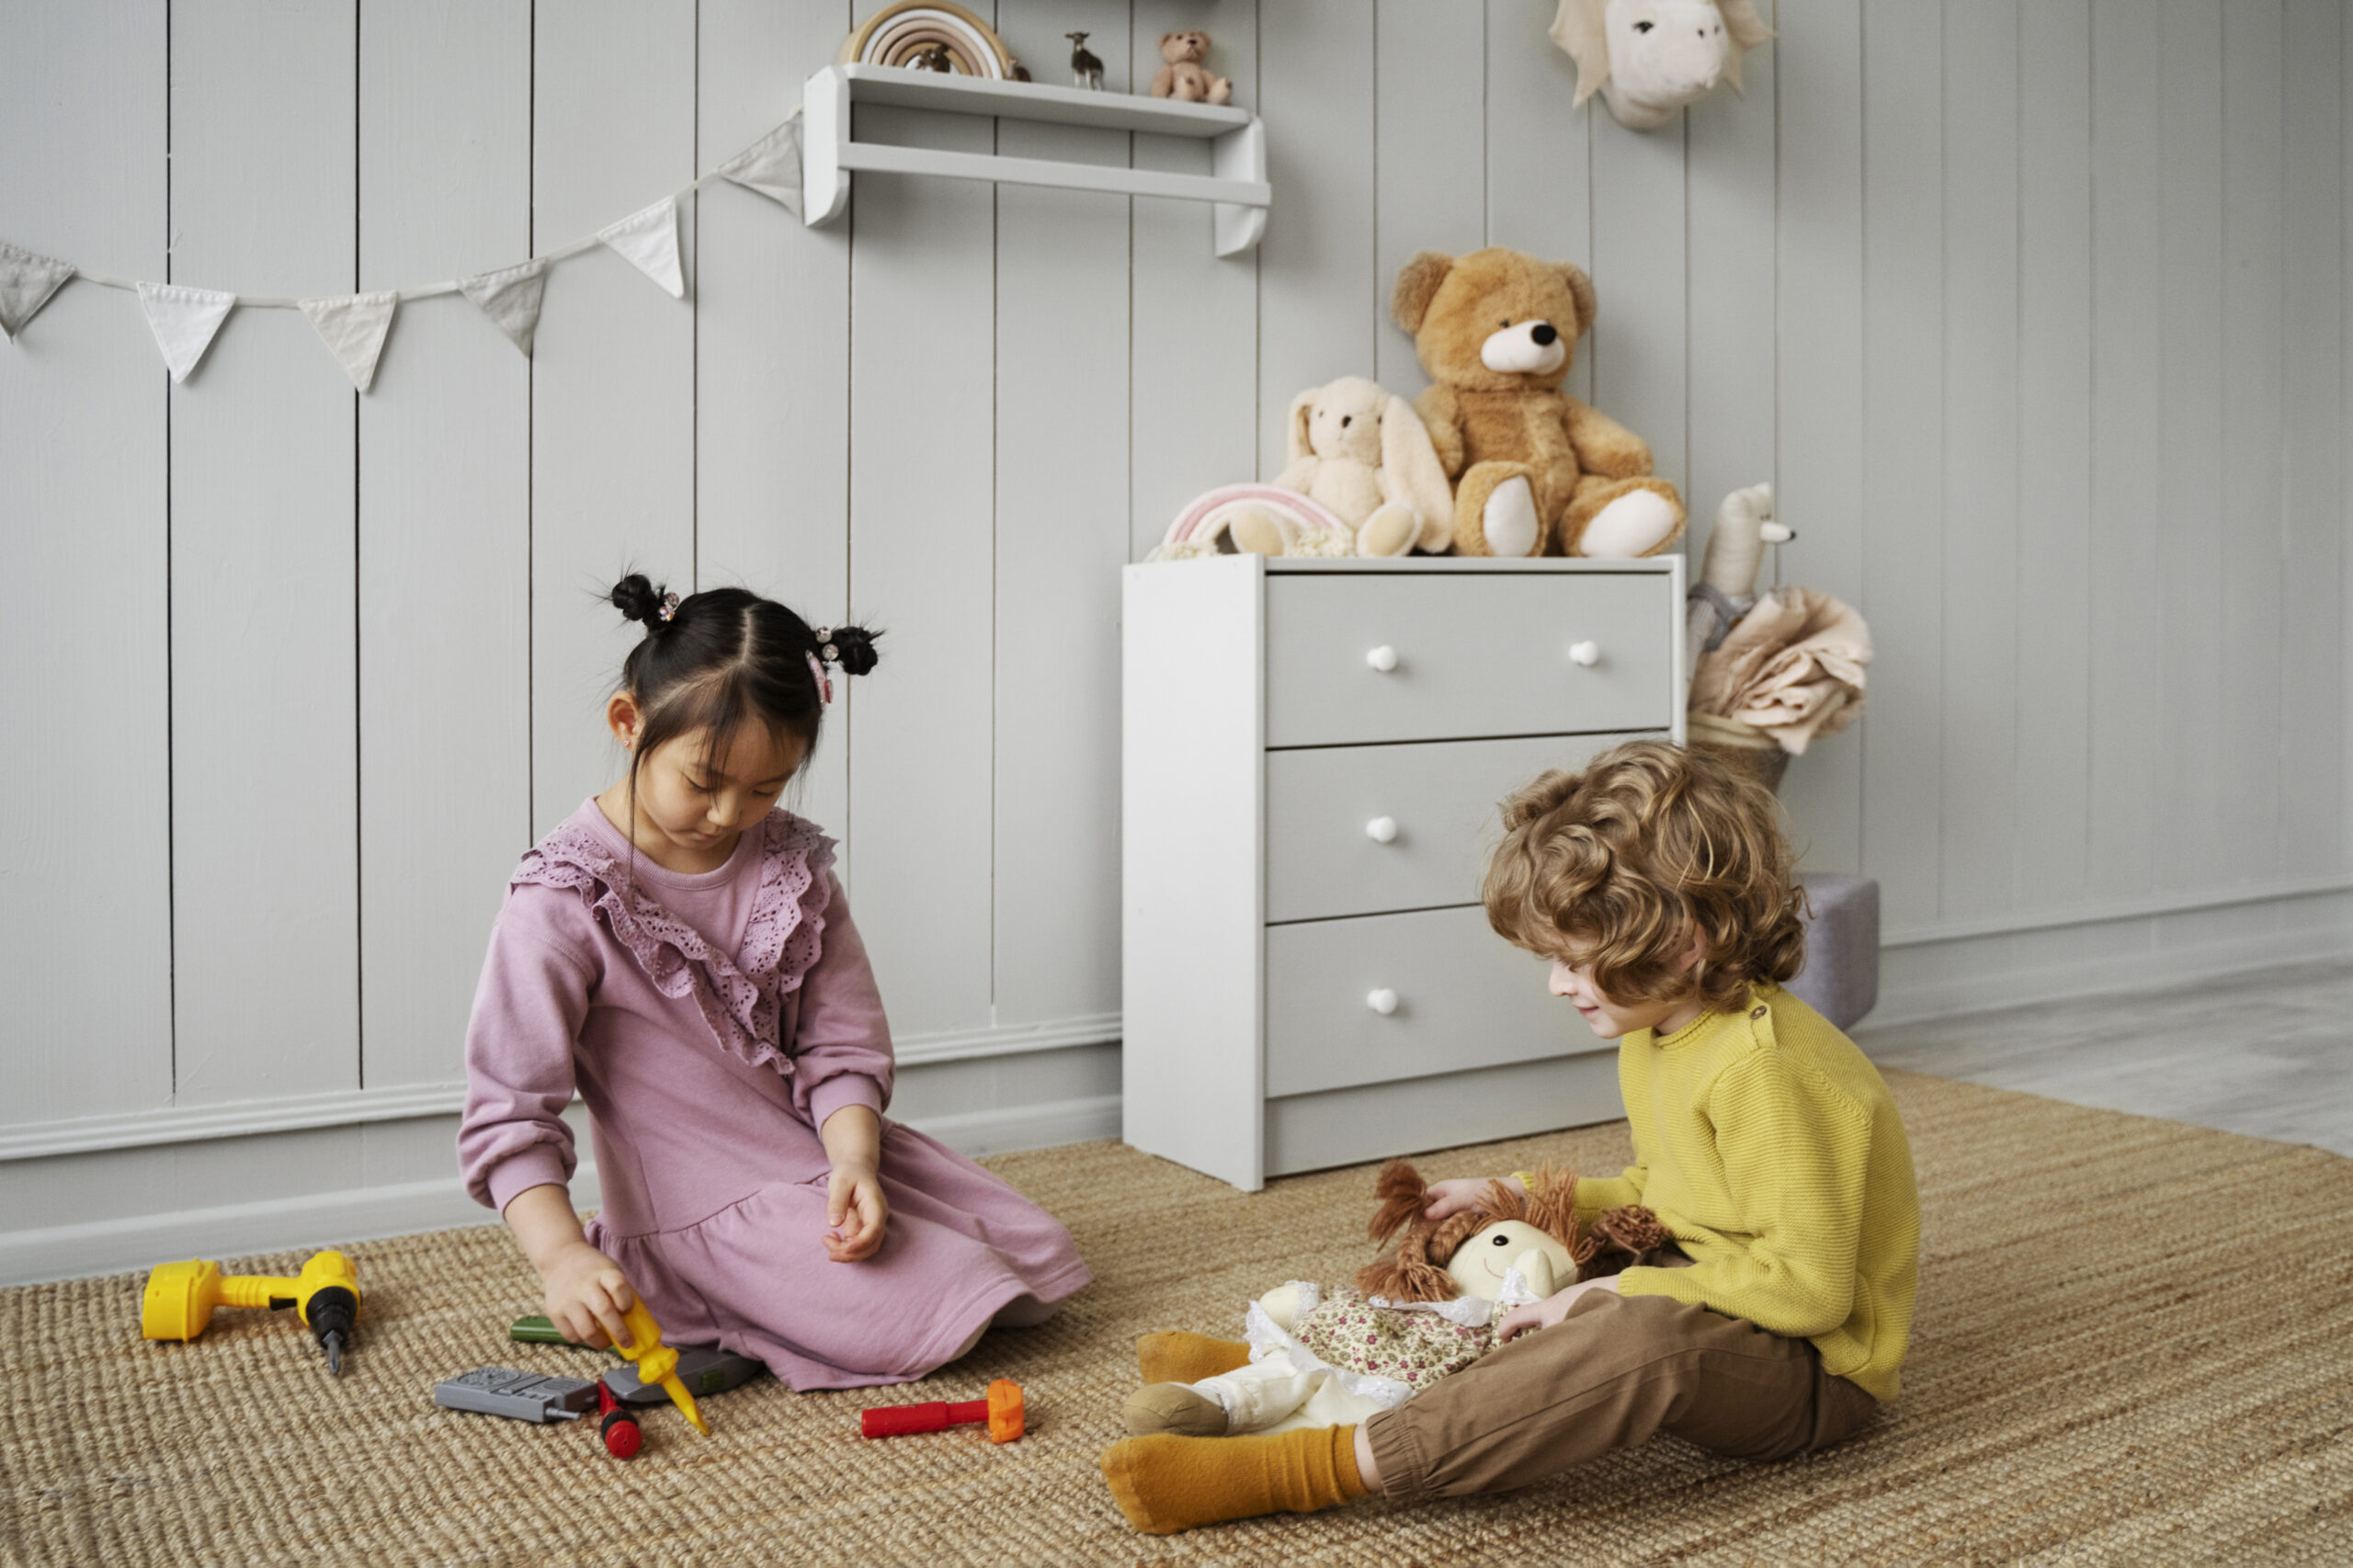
(366,1214)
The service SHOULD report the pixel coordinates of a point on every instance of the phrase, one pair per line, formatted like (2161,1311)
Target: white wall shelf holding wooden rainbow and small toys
(829,154)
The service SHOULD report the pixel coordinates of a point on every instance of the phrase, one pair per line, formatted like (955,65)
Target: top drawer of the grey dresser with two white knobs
(1474,656)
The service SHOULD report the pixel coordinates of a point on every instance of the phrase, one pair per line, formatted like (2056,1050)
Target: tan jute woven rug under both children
(2135,1348)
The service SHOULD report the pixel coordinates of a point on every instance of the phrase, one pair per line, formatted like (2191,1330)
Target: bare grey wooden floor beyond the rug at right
(2265,1054)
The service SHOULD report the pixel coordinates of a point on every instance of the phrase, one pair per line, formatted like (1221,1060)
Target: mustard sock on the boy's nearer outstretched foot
(1171,1484)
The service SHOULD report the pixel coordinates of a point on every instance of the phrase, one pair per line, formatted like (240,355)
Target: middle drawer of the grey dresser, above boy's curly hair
(1437,802)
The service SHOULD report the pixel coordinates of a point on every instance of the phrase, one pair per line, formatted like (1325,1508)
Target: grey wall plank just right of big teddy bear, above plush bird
(1731,284)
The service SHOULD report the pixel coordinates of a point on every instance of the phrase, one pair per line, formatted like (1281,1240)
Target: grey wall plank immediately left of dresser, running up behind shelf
(1062,540)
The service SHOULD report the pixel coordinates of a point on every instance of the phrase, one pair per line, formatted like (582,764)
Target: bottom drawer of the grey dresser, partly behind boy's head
(1465,999)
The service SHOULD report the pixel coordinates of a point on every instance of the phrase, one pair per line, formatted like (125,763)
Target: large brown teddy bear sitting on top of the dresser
(1535,472)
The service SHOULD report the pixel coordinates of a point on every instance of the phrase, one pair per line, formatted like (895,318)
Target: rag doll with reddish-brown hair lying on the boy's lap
(1429,1308)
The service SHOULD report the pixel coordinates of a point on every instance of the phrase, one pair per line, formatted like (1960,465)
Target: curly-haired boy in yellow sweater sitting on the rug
(1660,886)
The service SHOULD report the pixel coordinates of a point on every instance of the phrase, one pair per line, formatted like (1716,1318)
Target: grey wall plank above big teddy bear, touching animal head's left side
(1540,150)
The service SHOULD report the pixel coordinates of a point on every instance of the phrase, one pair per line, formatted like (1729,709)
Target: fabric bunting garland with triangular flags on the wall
(356,326)
